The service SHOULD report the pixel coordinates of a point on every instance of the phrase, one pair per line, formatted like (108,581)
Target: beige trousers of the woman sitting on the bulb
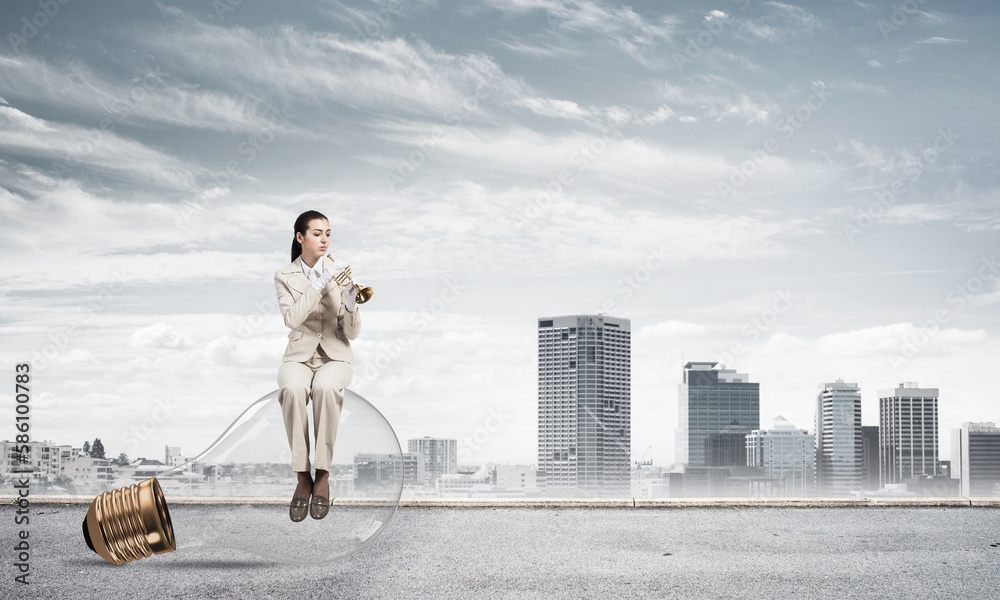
(323,379)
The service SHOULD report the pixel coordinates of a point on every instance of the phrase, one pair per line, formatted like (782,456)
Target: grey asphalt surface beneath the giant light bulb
(886,552)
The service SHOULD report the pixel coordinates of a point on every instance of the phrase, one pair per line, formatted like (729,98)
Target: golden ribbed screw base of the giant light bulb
(130,523)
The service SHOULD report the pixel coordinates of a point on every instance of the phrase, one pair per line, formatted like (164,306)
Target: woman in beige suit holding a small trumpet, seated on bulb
(323,317)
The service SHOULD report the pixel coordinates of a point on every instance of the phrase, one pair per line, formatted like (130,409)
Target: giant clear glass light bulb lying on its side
(251,461)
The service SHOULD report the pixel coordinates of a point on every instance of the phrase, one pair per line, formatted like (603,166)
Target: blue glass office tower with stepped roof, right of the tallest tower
(717,409)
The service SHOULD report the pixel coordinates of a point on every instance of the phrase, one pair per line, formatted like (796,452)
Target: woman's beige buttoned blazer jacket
(315,318)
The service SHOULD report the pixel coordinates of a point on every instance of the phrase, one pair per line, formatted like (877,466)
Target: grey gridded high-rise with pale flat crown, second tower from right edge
(908,438)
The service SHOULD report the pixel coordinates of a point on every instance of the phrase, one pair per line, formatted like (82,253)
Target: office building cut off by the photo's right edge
(975,459)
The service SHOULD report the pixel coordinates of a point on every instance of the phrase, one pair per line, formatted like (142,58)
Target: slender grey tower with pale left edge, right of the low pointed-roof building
(838,439)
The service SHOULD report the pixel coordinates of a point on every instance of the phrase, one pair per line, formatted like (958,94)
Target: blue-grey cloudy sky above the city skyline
(801,191)
